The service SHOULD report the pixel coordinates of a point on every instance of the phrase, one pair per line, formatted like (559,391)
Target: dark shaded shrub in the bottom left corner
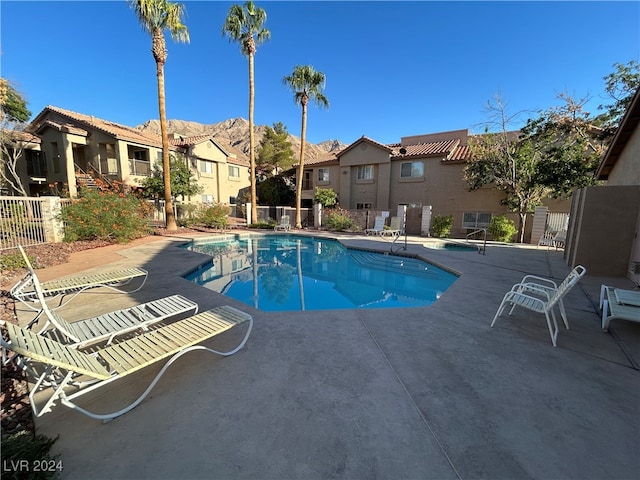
(25,449)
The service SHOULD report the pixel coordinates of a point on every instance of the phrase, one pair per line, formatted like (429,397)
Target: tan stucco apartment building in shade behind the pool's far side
(419,171)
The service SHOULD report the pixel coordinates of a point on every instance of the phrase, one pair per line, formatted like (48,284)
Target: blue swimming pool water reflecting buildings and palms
(286,272)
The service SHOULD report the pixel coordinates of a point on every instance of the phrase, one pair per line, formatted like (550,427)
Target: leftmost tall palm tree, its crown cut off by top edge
(155,16)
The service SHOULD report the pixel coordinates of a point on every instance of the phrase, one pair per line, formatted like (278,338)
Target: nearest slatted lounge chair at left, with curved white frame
(64,365)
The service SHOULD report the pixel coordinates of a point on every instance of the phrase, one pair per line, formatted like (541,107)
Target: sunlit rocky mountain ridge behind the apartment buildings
(235,132)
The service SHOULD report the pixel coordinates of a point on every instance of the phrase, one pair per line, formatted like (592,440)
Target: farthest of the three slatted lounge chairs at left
(75,284)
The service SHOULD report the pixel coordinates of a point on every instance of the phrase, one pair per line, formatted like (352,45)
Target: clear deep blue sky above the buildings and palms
(393,68)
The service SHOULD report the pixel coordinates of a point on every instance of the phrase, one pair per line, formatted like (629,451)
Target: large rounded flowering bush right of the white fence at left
(105,215)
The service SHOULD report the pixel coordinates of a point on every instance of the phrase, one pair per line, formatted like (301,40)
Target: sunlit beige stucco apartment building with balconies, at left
(68,145)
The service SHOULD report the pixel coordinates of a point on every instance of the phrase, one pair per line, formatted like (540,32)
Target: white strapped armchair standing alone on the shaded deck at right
(538,299)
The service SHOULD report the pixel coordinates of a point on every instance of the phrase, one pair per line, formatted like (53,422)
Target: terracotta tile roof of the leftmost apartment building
(117,130)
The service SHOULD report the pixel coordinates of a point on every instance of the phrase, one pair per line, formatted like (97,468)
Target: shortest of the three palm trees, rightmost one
(307,84)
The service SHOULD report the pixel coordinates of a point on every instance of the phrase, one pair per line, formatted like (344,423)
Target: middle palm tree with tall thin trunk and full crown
(245,25)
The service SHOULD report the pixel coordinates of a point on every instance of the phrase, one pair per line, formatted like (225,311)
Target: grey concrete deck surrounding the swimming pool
(429,392)
